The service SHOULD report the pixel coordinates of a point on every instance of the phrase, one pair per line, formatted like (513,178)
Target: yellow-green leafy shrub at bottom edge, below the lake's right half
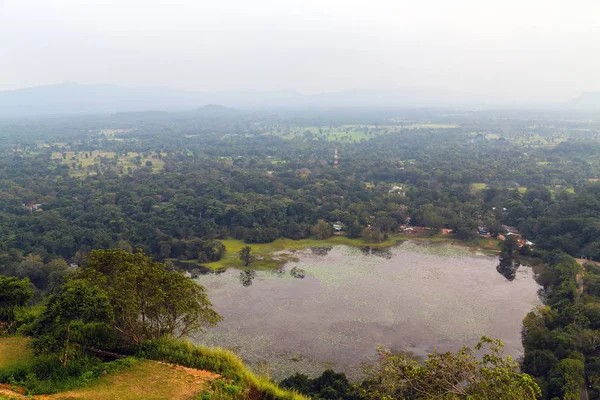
(450,376)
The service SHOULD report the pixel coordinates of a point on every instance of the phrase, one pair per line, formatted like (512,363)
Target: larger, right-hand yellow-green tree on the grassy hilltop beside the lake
(147,299)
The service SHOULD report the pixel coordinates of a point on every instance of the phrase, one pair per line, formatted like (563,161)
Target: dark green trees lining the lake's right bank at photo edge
(562,338)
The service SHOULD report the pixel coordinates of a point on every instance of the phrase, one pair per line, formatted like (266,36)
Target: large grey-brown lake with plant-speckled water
(412,296)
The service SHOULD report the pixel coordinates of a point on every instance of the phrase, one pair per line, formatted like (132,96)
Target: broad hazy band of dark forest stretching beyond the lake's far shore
(224,177)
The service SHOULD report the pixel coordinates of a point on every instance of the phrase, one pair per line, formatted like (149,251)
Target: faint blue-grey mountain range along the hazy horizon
(73,98)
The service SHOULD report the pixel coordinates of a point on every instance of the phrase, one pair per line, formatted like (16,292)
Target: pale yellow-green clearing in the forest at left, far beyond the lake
(124,162)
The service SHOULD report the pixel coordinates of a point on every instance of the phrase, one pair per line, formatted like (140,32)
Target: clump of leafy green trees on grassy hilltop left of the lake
(120,300)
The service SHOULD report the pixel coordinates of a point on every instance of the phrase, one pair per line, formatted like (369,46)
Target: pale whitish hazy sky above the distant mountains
(493,50)
